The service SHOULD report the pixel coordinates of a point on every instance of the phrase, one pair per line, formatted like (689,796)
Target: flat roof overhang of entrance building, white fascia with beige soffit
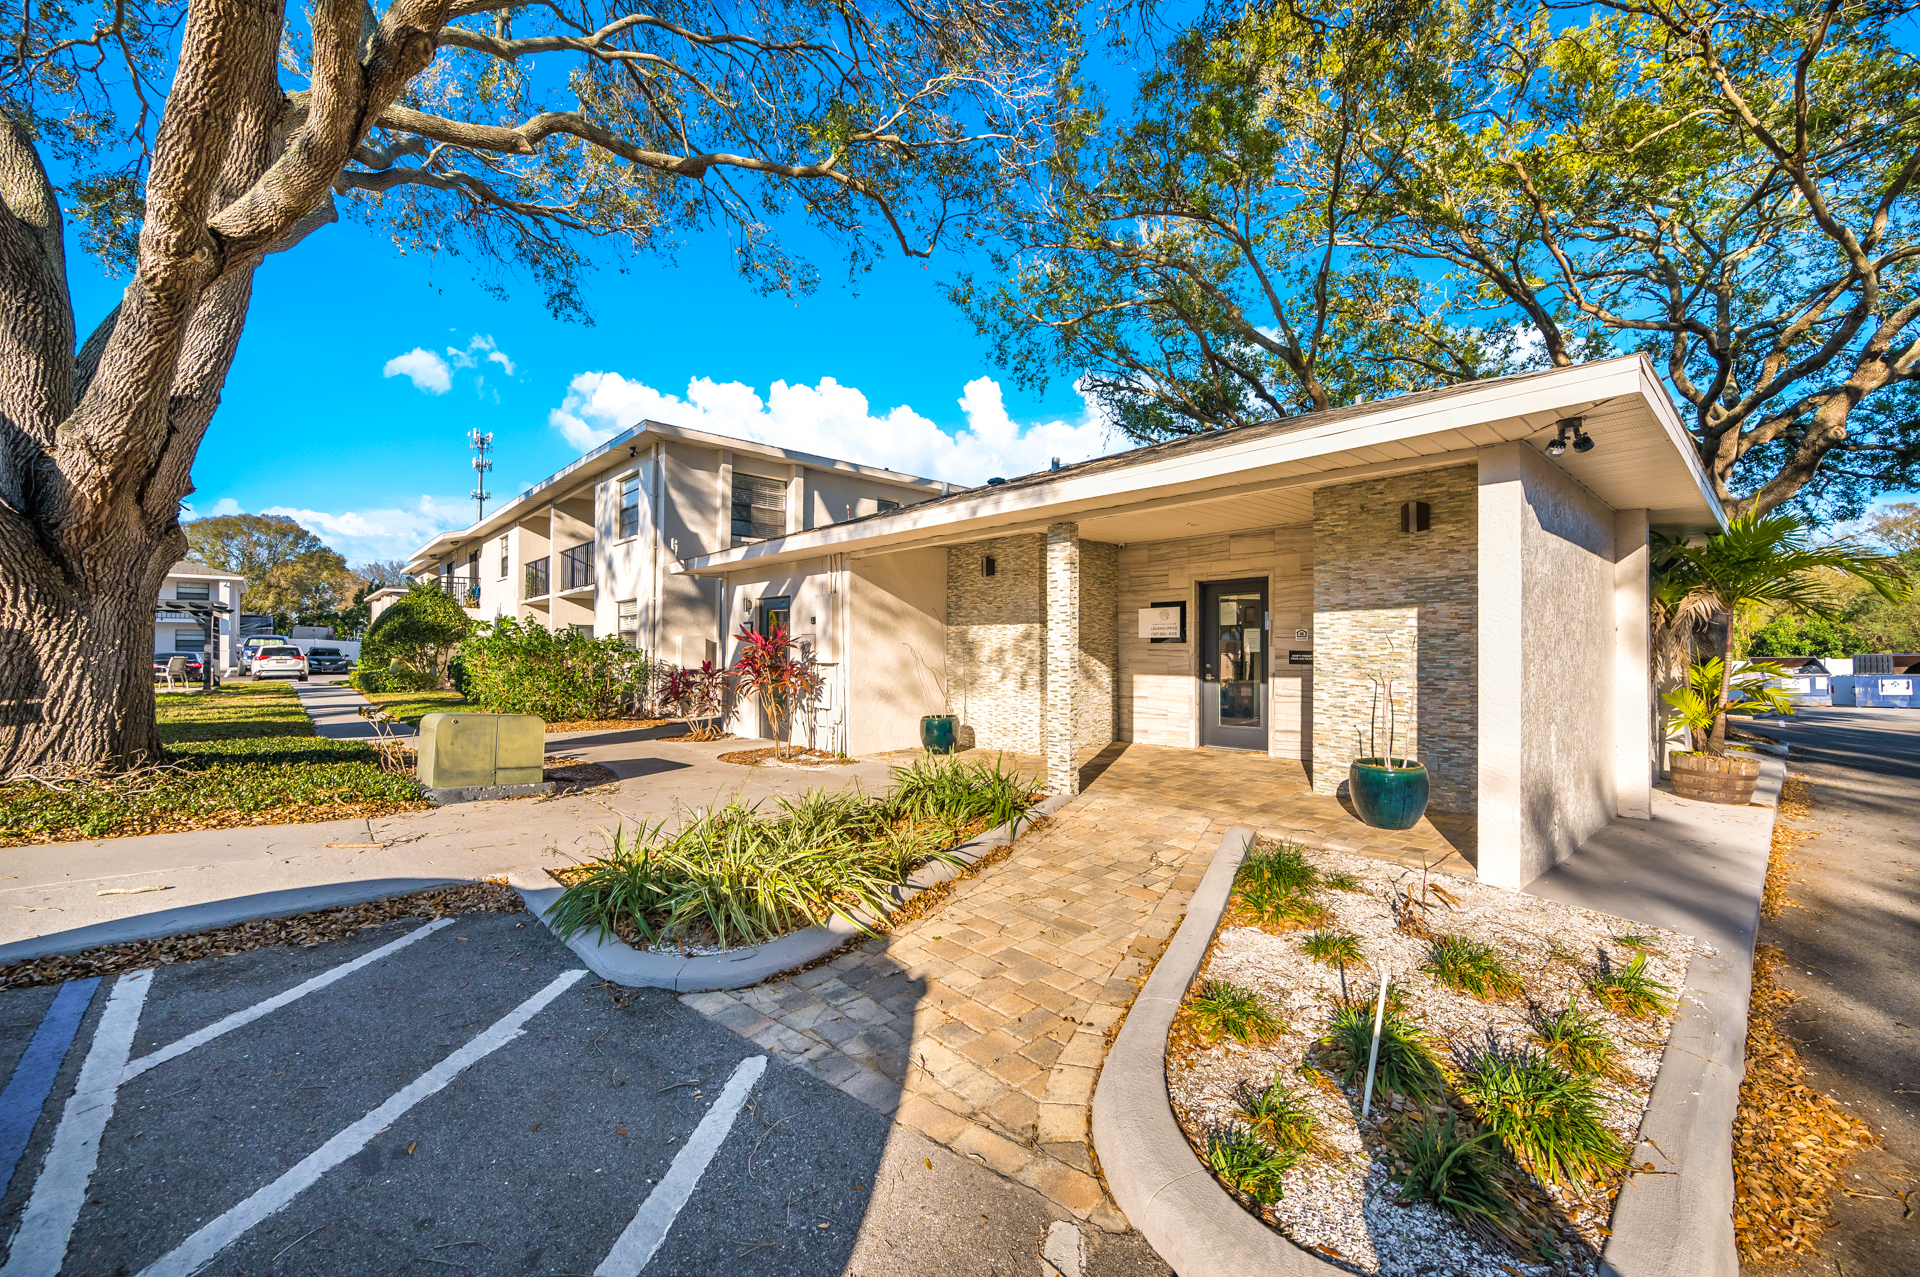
(1644,460)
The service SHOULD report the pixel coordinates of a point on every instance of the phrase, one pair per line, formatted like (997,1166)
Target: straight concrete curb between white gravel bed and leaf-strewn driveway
(1679,1222)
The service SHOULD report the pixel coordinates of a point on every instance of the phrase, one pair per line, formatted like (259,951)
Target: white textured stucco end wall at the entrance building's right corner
(1550,733)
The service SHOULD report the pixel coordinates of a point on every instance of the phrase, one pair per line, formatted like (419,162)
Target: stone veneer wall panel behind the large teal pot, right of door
(1403,606)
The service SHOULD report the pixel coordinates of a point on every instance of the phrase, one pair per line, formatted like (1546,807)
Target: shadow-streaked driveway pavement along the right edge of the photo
(1854,961)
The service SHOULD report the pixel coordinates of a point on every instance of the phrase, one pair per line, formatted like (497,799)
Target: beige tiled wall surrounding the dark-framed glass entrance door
(1159,700)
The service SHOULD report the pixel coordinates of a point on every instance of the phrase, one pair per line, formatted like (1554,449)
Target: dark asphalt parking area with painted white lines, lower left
(462,1097)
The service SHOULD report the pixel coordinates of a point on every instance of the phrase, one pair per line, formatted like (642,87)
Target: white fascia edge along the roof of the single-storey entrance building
(990,510)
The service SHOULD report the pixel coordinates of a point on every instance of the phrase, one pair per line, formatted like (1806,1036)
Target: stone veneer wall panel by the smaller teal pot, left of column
(997,644)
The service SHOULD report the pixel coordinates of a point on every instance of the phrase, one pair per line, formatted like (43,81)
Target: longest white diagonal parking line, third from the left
(201,1249)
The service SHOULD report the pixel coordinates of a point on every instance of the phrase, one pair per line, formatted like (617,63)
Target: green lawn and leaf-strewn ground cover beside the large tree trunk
(235,758)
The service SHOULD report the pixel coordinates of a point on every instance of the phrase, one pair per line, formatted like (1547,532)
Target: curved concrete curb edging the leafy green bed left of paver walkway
(623,965)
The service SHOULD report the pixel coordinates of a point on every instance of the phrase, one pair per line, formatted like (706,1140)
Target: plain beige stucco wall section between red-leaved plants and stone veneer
(898,652)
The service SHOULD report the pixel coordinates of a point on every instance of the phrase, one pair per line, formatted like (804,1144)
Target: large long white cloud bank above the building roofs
(836,422)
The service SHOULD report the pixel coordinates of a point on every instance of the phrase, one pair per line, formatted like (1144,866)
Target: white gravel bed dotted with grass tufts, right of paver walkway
(1520,1049)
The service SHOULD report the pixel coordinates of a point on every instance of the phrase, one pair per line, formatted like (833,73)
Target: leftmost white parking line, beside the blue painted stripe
(47,1226)
